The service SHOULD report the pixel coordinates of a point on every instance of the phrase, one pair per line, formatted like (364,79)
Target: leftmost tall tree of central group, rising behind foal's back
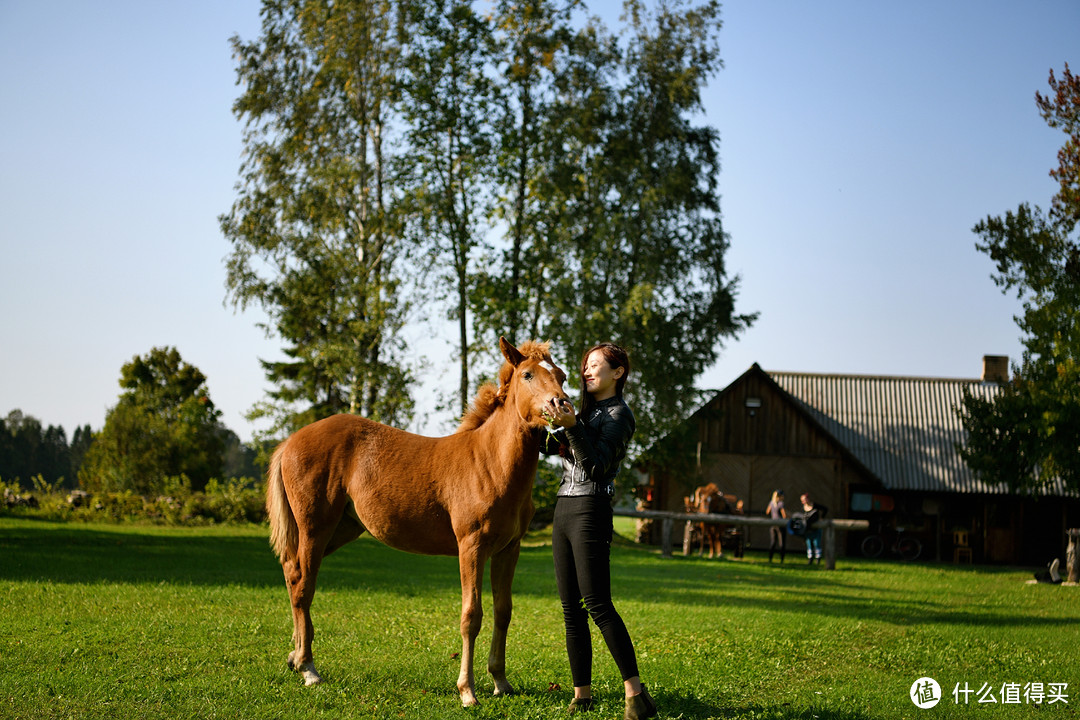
(315,233)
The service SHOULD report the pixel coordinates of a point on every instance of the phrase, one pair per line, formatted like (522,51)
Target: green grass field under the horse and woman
(143,622)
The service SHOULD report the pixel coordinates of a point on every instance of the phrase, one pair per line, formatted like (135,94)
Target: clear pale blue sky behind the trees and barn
(860,141)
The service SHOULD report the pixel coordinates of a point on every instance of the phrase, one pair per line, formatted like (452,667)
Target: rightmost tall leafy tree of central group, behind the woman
(643,242)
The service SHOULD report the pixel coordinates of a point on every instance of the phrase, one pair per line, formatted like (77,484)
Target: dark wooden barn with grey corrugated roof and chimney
(877,449)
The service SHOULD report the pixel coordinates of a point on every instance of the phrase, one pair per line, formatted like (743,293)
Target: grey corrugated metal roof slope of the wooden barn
(904,430)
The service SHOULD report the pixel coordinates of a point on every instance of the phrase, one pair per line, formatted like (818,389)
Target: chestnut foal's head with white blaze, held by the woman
(531,381)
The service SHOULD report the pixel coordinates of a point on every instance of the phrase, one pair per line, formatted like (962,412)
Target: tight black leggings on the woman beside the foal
(582,546)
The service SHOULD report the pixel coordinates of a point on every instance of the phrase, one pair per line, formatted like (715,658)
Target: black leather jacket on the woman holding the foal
(596,446)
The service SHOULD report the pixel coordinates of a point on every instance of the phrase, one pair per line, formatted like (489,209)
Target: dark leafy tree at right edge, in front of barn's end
(1029,438)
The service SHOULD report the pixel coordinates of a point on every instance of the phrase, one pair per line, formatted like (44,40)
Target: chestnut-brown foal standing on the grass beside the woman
(468,495)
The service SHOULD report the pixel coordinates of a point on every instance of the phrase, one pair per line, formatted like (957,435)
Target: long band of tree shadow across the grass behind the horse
(223,556)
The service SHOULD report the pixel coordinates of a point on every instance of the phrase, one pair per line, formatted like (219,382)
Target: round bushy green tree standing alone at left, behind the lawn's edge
(164,426)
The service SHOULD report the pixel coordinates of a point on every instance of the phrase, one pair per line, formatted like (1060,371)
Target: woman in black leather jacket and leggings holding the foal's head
(592,444)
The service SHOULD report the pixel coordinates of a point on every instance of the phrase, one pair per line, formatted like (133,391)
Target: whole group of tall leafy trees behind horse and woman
(544,176)
